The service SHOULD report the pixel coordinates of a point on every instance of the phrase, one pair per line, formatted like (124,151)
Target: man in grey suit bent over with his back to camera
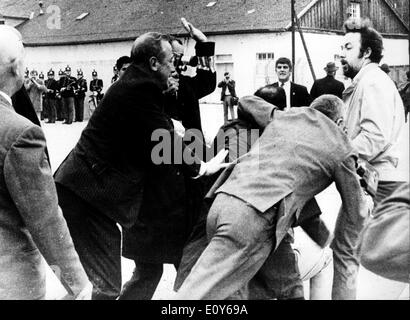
(264,195)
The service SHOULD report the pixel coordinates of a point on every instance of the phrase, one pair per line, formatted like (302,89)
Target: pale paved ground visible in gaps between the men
(61,138)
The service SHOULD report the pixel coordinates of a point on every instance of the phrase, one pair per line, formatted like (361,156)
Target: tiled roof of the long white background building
(114,20)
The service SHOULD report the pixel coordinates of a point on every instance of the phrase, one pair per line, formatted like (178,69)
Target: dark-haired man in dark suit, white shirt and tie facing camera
(296,95)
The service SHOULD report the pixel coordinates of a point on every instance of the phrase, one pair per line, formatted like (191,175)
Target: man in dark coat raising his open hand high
(139,241)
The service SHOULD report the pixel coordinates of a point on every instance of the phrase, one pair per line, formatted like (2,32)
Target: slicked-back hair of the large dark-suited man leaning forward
(148,45)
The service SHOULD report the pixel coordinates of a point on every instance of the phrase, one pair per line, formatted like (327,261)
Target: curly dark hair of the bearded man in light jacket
(370,38)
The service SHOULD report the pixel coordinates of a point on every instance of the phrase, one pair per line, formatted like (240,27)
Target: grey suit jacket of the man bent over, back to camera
(300,153)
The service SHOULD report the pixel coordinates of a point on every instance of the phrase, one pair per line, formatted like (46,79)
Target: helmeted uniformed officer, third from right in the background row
(68,85)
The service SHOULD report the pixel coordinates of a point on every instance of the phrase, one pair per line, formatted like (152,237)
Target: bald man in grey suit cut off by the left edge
(31,223)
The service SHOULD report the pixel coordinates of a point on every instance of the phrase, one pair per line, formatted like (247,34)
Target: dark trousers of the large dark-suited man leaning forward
(97,241)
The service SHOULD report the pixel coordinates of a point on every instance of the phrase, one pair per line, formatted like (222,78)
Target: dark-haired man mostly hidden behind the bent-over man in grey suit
(284,279)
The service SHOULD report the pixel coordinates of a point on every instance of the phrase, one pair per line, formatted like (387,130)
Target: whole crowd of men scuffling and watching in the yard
(224,215)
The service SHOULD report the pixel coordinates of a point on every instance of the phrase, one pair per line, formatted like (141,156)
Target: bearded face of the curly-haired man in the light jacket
(351,59)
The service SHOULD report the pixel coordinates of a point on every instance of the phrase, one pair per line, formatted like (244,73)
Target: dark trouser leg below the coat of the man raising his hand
(144,281)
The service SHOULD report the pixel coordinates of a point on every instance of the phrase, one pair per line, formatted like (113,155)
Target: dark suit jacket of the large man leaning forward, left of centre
(111,166)
